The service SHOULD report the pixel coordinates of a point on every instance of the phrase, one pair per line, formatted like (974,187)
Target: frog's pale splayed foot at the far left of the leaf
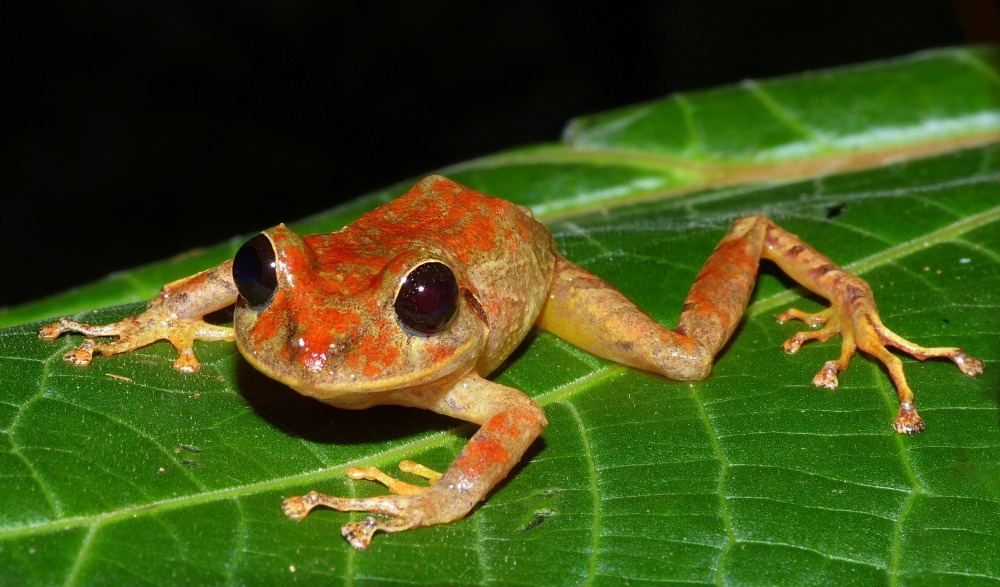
(138,331)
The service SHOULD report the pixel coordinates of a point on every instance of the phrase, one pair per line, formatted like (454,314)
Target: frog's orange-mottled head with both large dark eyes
(331,319)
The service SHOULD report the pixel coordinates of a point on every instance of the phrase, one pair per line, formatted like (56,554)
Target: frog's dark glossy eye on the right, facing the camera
(428,298)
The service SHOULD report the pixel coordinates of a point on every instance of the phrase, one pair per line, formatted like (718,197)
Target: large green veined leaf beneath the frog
(128,472)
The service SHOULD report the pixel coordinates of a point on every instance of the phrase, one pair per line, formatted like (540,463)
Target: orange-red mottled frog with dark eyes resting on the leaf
(416,303)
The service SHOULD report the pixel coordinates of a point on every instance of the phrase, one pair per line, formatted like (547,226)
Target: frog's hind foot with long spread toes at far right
(861,328)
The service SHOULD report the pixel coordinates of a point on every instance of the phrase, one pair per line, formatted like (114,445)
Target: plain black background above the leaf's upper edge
(135,130)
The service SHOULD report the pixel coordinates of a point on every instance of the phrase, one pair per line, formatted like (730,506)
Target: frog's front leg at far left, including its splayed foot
(175,315)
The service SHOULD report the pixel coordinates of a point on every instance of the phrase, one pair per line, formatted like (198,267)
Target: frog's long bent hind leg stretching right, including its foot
(588,312)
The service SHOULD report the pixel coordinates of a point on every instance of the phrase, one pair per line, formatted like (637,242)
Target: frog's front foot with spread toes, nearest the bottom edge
(404,509)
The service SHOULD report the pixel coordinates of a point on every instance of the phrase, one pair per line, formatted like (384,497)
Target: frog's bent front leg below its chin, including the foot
(510,423)
